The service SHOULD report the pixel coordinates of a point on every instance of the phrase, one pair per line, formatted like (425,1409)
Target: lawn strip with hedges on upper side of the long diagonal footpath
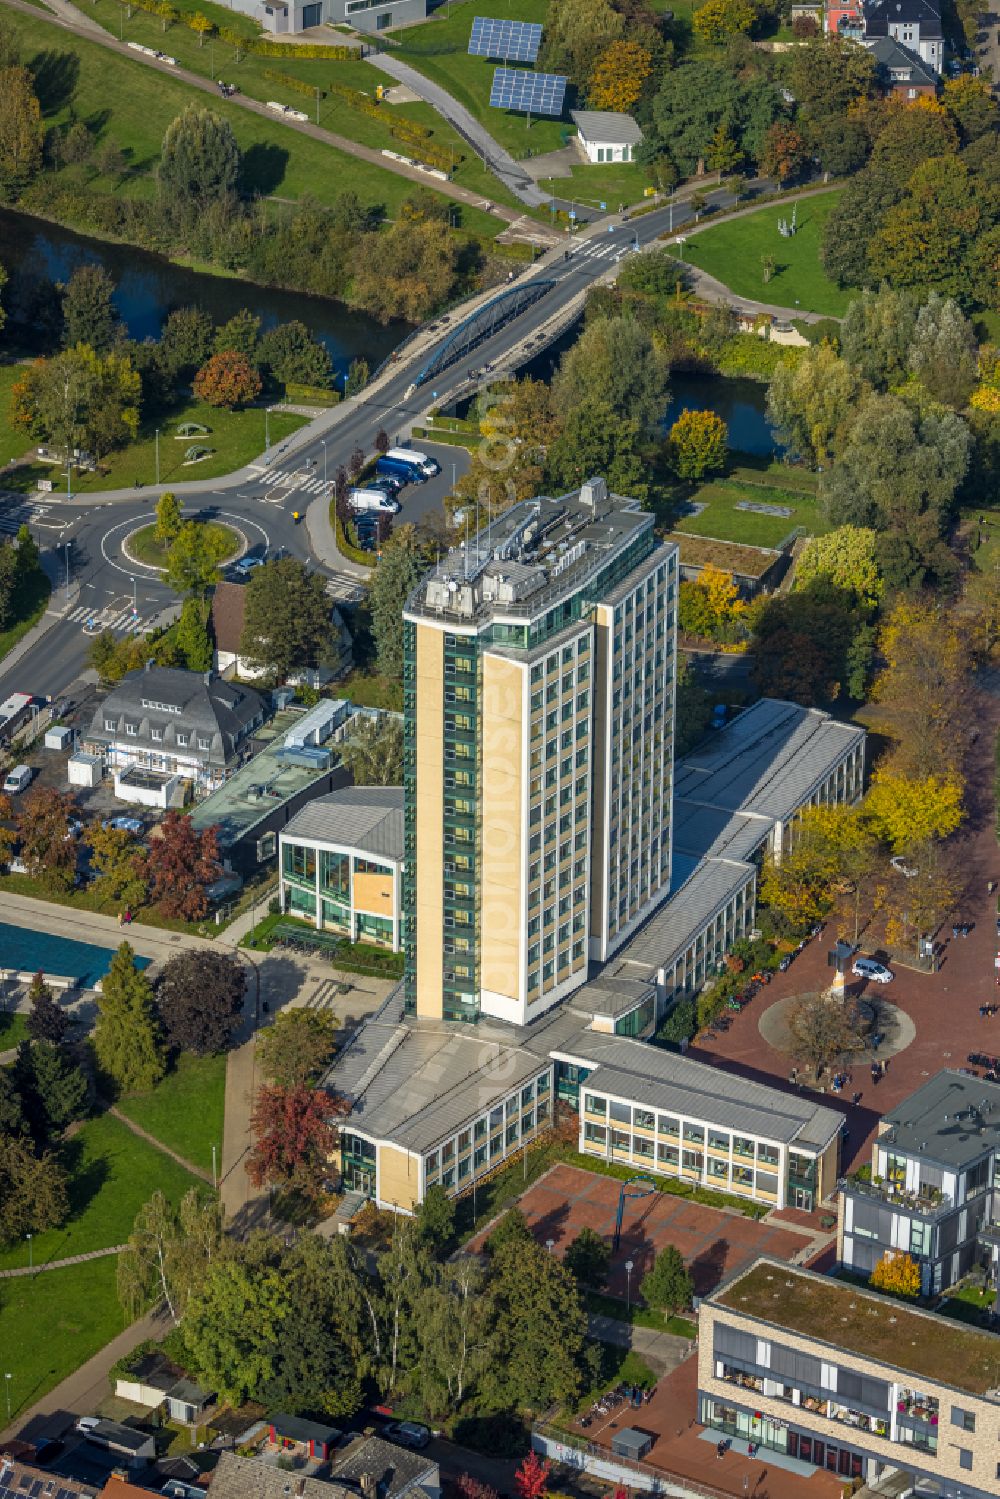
(217,61)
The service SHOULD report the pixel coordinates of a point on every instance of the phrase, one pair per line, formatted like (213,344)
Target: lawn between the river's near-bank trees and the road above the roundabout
(235,437)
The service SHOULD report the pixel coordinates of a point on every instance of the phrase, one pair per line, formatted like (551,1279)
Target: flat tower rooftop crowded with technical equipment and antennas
(531,558)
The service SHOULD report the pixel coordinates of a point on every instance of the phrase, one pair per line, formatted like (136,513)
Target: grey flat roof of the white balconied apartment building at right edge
(950,1121)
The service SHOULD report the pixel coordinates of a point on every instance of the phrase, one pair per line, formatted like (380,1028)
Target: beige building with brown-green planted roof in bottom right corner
(851,1383)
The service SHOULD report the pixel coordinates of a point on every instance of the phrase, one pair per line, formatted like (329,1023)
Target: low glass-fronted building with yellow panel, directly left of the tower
(343,864)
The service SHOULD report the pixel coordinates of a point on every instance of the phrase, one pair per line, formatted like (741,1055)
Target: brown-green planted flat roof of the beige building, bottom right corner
(861,1323)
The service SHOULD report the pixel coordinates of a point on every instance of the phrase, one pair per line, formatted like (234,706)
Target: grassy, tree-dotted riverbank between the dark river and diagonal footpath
(286,212)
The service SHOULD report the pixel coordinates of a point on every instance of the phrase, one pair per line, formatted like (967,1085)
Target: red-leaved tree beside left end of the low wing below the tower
(295,1137)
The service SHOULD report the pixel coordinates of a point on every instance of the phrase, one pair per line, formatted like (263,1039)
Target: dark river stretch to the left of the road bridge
(149,289)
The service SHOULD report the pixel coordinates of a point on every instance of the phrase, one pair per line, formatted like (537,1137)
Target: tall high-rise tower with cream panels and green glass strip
(539,695)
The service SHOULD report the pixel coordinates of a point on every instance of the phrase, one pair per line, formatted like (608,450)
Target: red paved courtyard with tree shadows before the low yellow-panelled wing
(714,1243)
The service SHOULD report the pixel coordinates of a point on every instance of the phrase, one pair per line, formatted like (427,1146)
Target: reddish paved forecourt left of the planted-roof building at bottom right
(684,1453)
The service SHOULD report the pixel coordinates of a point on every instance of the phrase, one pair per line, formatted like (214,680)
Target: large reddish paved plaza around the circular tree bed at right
(944,1007)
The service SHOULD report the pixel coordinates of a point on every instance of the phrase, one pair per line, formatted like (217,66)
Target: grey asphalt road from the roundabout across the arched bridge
(262,501)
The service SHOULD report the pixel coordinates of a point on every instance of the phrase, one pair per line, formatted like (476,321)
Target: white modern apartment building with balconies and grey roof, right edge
(933,1188)
